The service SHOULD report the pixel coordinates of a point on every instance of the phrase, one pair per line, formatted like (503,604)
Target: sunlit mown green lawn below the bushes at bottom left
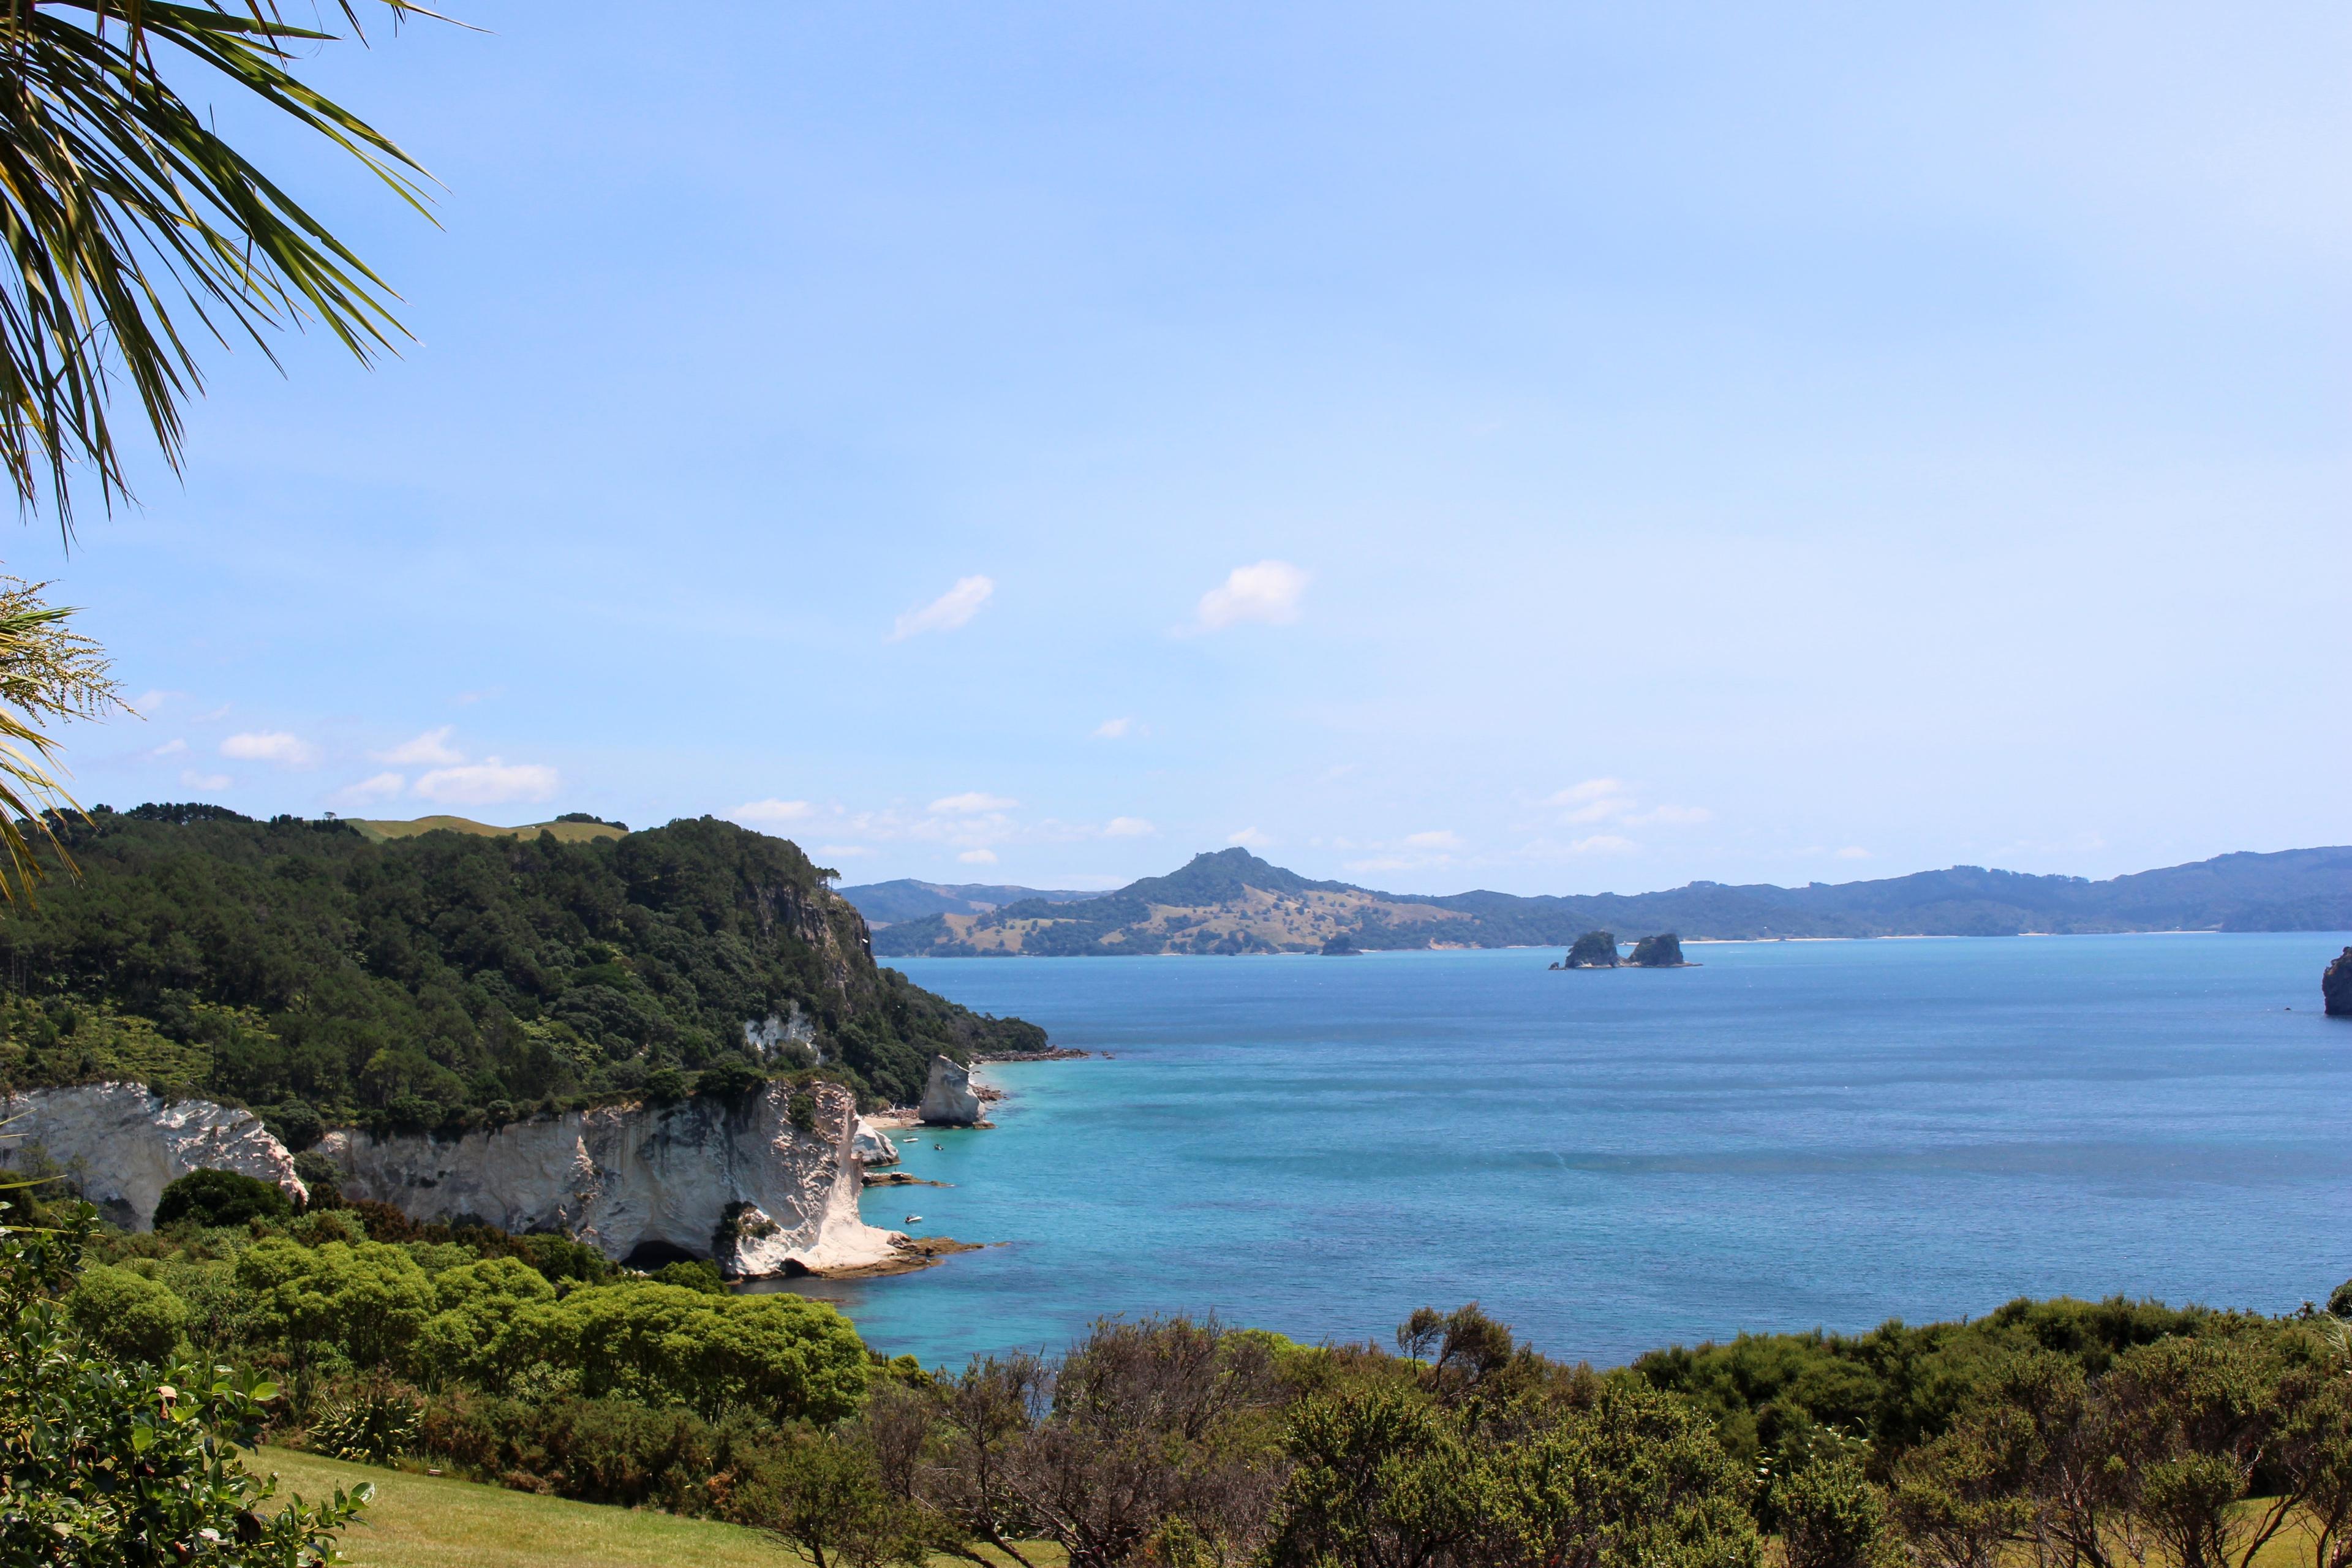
(427,1522)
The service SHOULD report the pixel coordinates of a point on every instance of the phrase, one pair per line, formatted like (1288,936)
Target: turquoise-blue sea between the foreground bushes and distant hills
(1791,1134)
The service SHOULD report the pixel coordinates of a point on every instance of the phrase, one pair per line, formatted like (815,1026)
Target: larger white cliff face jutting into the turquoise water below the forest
(730,1181)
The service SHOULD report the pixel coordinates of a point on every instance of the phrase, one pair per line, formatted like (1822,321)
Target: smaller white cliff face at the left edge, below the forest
(123,1144)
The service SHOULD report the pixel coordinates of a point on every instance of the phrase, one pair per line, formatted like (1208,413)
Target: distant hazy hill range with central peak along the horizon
(1234,902)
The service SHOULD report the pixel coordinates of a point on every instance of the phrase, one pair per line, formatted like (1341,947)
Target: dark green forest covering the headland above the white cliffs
(453,979)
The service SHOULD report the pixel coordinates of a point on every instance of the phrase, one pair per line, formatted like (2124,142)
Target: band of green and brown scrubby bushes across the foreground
(2094,1435)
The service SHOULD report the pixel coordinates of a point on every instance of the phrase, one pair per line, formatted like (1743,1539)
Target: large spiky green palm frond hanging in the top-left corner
(133,229)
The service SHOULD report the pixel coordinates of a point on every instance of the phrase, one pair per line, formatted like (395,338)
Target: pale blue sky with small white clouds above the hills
(1549,448)
